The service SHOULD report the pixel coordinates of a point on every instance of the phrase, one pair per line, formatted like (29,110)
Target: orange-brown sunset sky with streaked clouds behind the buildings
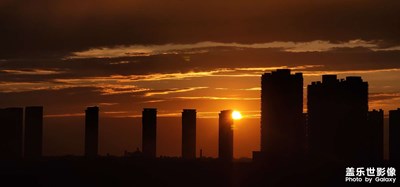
(125,55)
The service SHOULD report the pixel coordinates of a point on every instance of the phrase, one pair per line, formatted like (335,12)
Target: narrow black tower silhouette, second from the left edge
(33,131)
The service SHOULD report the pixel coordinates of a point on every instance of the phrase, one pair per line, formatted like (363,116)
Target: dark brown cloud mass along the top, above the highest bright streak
(43,27)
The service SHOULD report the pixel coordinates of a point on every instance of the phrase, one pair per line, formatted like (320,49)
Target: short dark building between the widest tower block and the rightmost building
(375,139)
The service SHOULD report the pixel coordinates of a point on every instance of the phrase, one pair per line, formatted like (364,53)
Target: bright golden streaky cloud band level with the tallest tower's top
(128,84)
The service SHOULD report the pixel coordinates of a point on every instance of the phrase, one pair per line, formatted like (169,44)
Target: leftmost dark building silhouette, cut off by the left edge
(11,120)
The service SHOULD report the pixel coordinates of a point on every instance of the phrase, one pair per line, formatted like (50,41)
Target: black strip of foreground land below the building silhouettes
(174,172)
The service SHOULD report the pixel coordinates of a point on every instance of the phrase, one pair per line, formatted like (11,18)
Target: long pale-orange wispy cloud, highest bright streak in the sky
(288,46)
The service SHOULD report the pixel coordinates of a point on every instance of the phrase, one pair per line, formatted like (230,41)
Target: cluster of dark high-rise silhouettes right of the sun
(337,123)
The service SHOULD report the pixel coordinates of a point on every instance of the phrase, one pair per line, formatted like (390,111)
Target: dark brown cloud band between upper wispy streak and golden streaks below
(138,68)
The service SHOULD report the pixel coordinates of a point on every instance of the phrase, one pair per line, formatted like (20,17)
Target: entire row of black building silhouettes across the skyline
(337,124)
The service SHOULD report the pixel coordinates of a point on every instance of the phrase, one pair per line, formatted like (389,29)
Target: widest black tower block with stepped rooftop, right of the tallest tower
(337,118)
